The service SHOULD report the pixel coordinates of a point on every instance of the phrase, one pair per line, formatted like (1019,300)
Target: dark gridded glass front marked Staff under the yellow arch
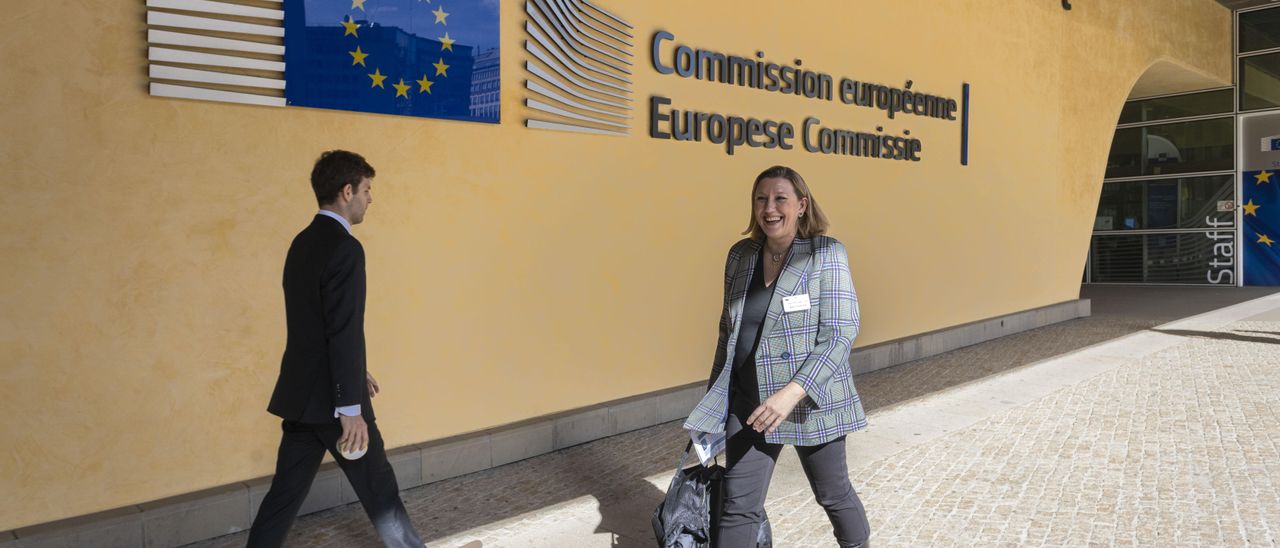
(1155,229)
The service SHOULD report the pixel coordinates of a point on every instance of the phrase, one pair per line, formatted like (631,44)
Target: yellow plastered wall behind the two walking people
(513,272)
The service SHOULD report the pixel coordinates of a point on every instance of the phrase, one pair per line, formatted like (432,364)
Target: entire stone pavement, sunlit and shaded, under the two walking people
(1121,430)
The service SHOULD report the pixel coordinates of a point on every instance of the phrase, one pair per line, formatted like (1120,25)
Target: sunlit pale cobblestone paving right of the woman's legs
(1178,449)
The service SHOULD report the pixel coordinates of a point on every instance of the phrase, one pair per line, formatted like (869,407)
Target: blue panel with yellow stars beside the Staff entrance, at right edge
(1261,211)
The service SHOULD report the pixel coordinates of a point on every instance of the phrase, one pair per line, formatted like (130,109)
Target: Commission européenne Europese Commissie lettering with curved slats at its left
(579,79)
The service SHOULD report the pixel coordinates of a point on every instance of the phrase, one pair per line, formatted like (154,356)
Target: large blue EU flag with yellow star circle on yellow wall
(414,58)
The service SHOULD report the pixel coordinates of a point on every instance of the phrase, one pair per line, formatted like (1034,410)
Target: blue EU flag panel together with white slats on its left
(388,57)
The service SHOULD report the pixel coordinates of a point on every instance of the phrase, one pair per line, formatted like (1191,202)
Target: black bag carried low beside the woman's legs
(691,513)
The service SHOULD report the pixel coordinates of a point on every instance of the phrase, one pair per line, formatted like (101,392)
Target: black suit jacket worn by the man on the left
(324,305)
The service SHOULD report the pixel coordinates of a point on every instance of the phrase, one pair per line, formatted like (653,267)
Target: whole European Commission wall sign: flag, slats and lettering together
(442,60)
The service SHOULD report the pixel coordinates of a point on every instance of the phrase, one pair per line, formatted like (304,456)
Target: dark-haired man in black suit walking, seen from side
(324,390)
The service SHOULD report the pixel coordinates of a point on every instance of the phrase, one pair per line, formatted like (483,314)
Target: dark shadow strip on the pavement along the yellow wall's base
(606,479)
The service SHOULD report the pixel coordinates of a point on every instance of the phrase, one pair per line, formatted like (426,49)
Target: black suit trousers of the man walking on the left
(303,447)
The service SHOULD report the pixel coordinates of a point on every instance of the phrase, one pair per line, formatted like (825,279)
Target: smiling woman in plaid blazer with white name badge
(781,373)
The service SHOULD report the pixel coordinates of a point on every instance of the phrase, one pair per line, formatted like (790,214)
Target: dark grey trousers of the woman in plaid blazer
(749,468)
